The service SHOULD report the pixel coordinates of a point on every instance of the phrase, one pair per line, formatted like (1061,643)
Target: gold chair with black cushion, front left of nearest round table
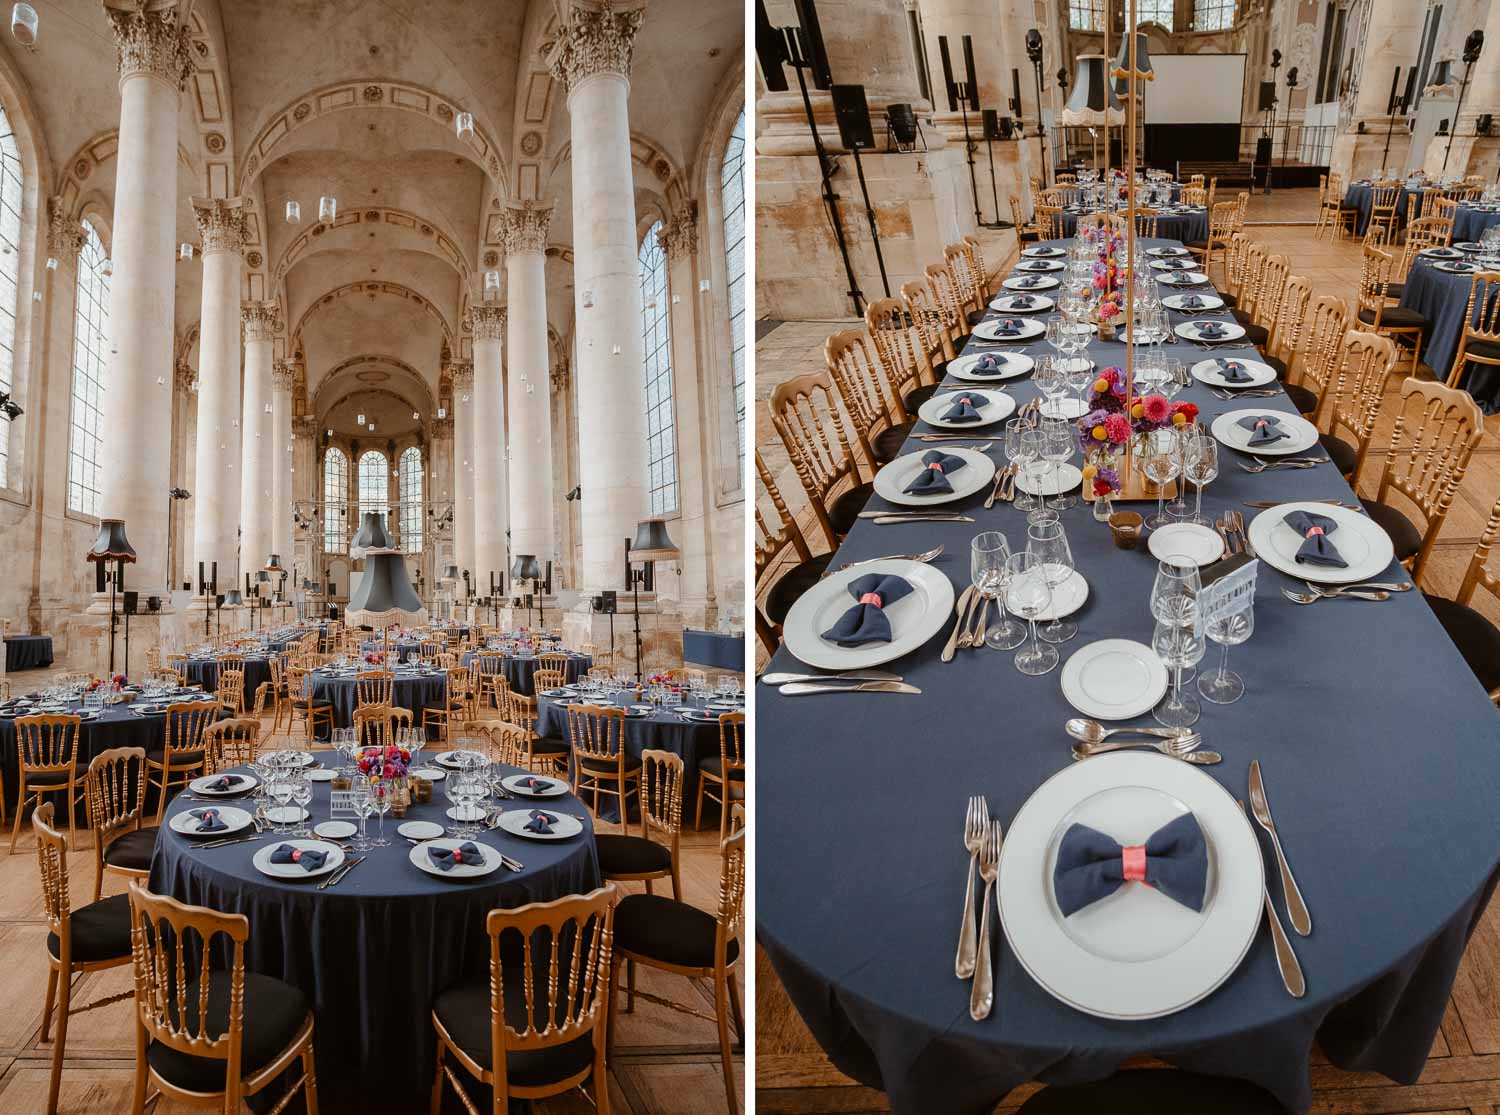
(211,1036)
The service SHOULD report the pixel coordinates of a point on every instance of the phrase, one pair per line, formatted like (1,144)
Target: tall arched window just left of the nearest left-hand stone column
(91,352)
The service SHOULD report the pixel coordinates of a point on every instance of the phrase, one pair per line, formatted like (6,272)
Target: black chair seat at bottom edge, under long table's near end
(1156,1092)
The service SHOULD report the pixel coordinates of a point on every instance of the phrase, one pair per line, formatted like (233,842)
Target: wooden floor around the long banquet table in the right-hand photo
(1463,1069)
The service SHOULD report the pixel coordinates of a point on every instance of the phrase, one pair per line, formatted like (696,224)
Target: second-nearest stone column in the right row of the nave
(491,487)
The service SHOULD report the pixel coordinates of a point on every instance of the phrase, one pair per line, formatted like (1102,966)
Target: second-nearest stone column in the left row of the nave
(217,518)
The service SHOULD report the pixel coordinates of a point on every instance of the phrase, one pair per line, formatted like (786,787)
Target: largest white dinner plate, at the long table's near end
(1135,955)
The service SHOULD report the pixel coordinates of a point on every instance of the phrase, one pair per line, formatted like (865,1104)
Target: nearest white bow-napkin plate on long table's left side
(914,619)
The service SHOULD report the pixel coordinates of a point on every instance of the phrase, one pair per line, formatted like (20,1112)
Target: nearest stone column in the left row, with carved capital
(154,62)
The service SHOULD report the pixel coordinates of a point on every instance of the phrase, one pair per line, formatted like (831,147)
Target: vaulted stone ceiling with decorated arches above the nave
(292,100)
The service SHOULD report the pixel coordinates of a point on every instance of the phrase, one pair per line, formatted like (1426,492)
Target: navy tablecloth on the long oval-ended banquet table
(1379,753)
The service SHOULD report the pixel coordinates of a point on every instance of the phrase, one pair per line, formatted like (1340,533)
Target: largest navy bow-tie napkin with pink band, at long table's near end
(1093,867)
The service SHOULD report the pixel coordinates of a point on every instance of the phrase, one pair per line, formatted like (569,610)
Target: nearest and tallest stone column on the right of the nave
(593,61)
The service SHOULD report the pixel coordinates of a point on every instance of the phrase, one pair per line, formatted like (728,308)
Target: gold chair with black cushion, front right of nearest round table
(550,969)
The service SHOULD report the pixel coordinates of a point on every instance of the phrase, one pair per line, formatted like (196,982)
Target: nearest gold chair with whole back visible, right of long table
(1435,436)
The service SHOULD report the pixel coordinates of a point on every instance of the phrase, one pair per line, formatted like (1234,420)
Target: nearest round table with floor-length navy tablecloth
(373,952)
